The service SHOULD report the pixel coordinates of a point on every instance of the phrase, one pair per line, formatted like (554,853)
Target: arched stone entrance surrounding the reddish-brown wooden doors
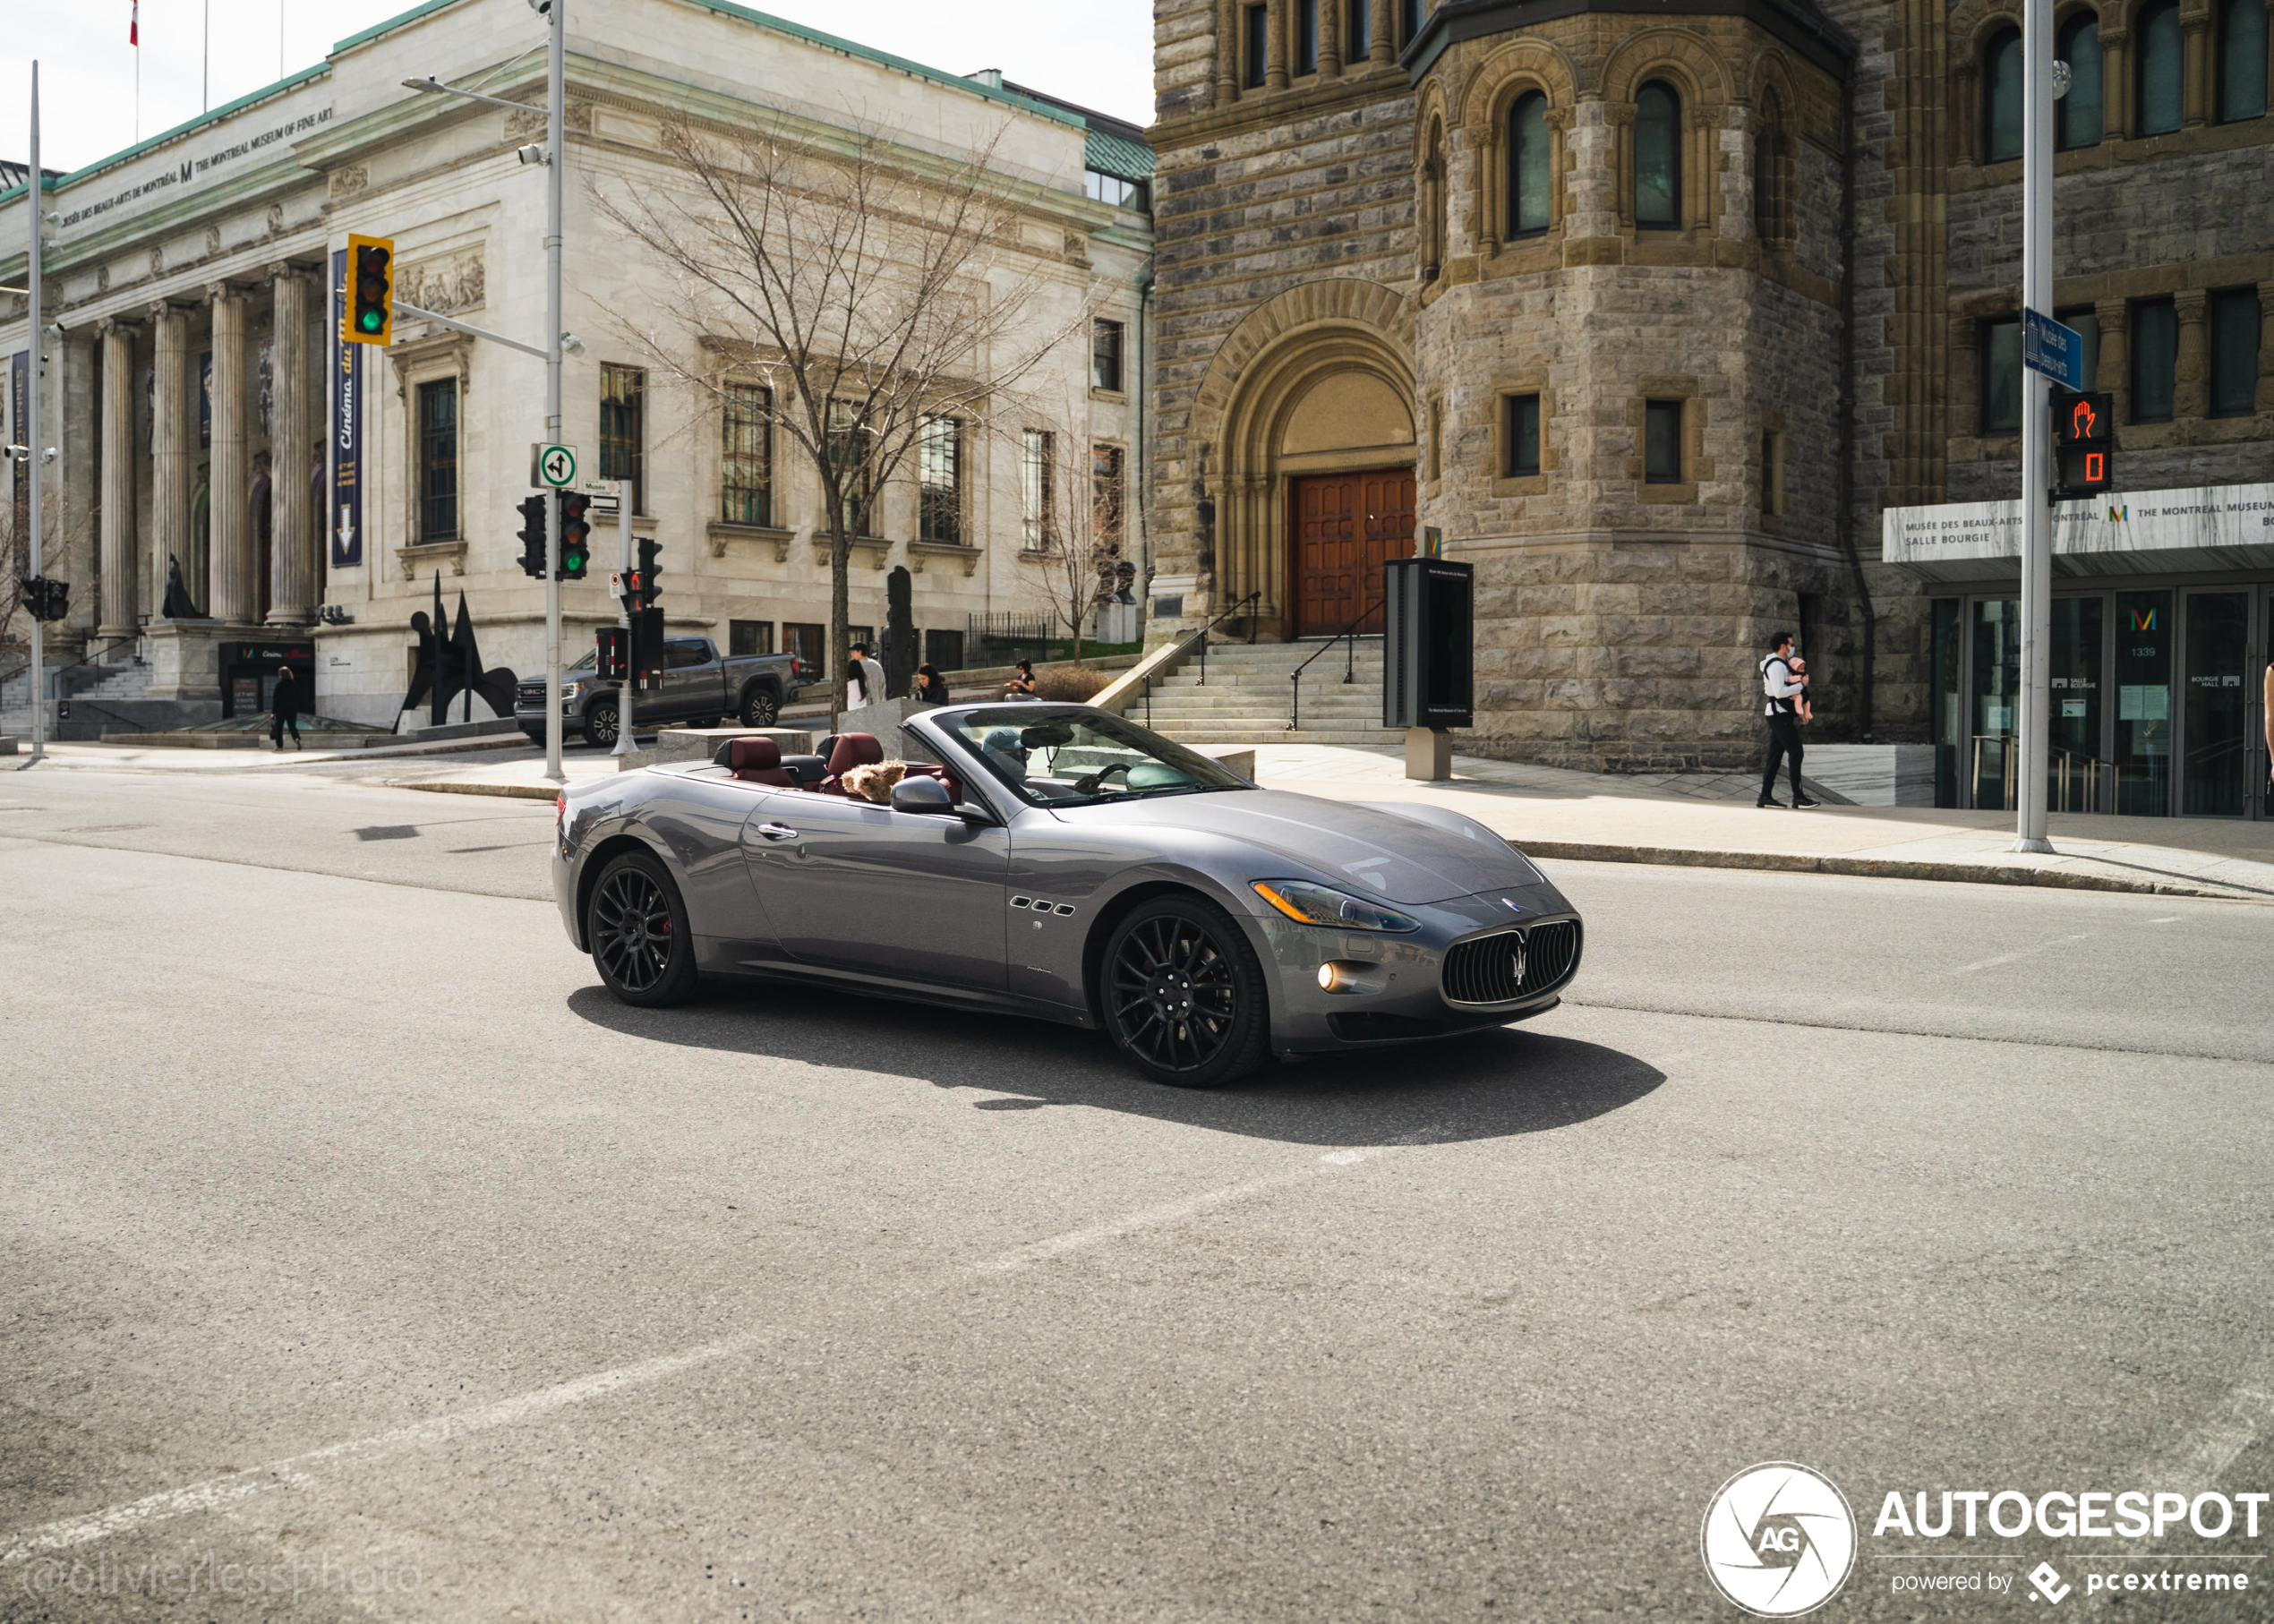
(1309,413)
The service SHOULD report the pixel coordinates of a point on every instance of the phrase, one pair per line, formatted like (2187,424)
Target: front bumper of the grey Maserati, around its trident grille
(1400,979)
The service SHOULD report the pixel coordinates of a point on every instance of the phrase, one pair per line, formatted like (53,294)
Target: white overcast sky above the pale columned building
(1097,53)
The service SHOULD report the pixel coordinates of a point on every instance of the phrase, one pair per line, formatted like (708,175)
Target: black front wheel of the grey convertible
(1184,995)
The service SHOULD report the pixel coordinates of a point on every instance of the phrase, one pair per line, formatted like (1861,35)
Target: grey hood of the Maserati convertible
(1368,850)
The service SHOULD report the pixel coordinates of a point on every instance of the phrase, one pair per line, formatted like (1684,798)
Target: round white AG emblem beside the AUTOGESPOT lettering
(1779,1541)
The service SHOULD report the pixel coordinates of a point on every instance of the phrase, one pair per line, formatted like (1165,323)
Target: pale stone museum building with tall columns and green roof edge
(238,486)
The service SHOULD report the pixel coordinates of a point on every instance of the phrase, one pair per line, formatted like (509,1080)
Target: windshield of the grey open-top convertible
(1065,759)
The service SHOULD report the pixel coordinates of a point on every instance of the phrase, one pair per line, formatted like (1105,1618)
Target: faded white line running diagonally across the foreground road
(292,1473)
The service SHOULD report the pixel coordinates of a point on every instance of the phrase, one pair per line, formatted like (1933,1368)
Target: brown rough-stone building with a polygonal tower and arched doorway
(1666,315)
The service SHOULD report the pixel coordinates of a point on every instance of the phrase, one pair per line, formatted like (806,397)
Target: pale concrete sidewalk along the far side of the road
(1554,813)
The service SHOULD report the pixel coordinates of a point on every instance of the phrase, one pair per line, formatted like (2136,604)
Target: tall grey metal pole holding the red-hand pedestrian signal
(2036,429)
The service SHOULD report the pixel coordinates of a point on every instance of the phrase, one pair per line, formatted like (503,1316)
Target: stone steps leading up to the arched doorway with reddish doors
(1247,697)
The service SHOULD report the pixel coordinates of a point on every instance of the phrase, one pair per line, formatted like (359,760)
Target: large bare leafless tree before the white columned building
(852,299)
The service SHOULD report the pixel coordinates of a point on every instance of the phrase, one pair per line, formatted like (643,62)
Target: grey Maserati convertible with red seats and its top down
(1063,863)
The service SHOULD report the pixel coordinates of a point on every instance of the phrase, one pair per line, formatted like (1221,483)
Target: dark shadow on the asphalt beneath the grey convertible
(1482,1086)
